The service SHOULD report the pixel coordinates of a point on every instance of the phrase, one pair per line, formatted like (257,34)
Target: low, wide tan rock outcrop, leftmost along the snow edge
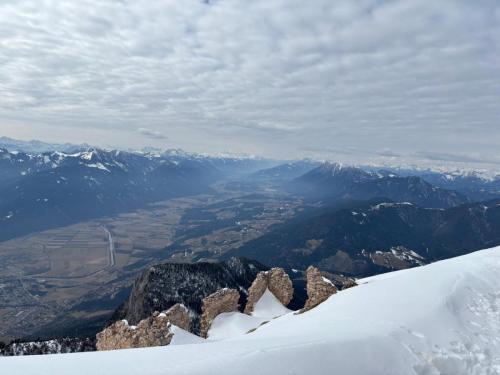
(153,331)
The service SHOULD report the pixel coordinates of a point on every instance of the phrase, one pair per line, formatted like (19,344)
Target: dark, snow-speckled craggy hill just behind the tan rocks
(163,285)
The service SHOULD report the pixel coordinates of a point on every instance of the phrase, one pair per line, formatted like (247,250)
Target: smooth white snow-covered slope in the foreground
(443,318)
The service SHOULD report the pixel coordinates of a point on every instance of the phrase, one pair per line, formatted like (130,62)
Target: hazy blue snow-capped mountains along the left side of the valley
(52,189)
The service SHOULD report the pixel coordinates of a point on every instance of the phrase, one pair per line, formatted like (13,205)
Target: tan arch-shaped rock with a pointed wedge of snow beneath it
(278,283)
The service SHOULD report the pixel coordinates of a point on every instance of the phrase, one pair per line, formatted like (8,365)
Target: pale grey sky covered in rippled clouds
(339,79)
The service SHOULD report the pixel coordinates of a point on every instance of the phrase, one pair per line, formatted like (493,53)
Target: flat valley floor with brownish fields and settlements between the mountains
(82,272)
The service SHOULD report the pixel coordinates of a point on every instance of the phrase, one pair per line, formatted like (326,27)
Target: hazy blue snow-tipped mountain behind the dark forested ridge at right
(335,181)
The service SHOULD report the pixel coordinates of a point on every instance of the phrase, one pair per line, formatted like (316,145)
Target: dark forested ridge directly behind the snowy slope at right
(377,238)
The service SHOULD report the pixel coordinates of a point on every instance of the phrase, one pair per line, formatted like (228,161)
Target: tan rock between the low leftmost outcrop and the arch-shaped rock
(224,300)
